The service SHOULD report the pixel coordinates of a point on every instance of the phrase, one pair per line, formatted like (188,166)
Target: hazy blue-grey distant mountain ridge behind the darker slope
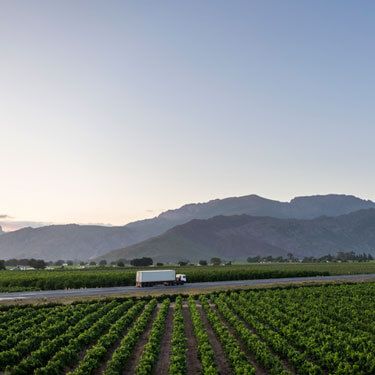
(89,241)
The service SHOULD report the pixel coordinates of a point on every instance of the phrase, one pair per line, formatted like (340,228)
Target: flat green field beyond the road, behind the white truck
(108,277)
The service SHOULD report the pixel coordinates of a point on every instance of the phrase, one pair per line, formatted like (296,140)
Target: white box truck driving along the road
(159,277)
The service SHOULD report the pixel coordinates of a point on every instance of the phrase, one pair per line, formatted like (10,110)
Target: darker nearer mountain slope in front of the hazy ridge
(240,236)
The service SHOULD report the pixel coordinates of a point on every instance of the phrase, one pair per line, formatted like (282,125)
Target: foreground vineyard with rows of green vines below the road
(304,330)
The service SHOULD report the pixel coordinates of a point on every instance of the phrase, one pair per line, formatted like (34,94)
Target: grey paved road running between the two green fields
(129,290)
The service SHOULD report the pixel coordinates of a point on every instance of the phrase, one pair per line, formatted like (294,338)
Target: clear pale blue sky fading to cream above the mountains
(113,111)
